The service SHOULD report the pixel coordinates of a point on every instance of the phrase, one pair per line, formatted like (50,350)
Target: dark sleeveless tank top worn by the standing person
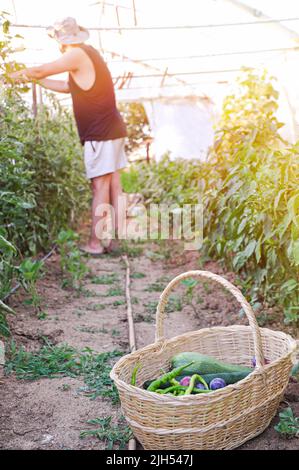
(96,114)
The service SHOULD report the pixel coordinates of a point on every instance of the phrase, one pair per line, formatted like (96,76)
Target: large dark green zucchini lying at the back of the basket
(204,365)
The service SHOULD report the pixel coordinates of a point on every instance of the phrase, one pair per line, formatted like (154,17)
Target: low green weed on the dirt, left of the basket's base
(111,435)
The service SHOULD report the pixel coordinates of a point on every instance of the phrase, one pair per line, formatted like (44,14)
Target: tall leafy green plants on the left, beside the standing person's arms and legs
(43,187)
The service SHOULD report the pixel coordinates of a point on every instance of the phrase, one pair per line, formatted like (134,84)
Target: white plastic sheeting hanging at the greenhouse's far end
(182,127)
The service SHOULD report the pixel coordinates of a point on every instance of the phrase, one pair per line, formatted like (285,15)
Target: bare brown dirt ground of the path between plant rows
(50,413)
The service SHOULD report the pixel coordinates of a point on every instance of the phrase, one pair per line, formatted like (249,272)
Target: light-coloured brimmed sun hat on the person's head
(67,31)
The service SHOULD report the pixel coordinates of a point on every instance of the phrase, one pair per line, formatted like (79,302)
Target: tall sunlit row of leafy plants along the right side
(249,191)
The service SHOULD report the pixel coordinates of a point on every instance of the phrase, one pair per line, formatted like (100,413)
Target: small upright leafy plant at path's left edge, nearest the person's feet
(71,258)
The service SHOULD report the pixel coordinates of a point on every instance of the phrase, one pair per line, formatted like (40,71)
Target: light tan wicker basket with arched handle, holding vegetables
(222,419)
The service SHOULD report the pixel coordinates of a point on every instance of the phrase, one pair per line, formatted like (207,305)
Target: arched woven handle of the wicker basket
(231,288)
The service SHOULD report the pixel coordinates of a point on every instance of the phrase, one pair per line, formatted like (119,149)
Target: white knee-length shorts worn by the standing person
(104,157)
